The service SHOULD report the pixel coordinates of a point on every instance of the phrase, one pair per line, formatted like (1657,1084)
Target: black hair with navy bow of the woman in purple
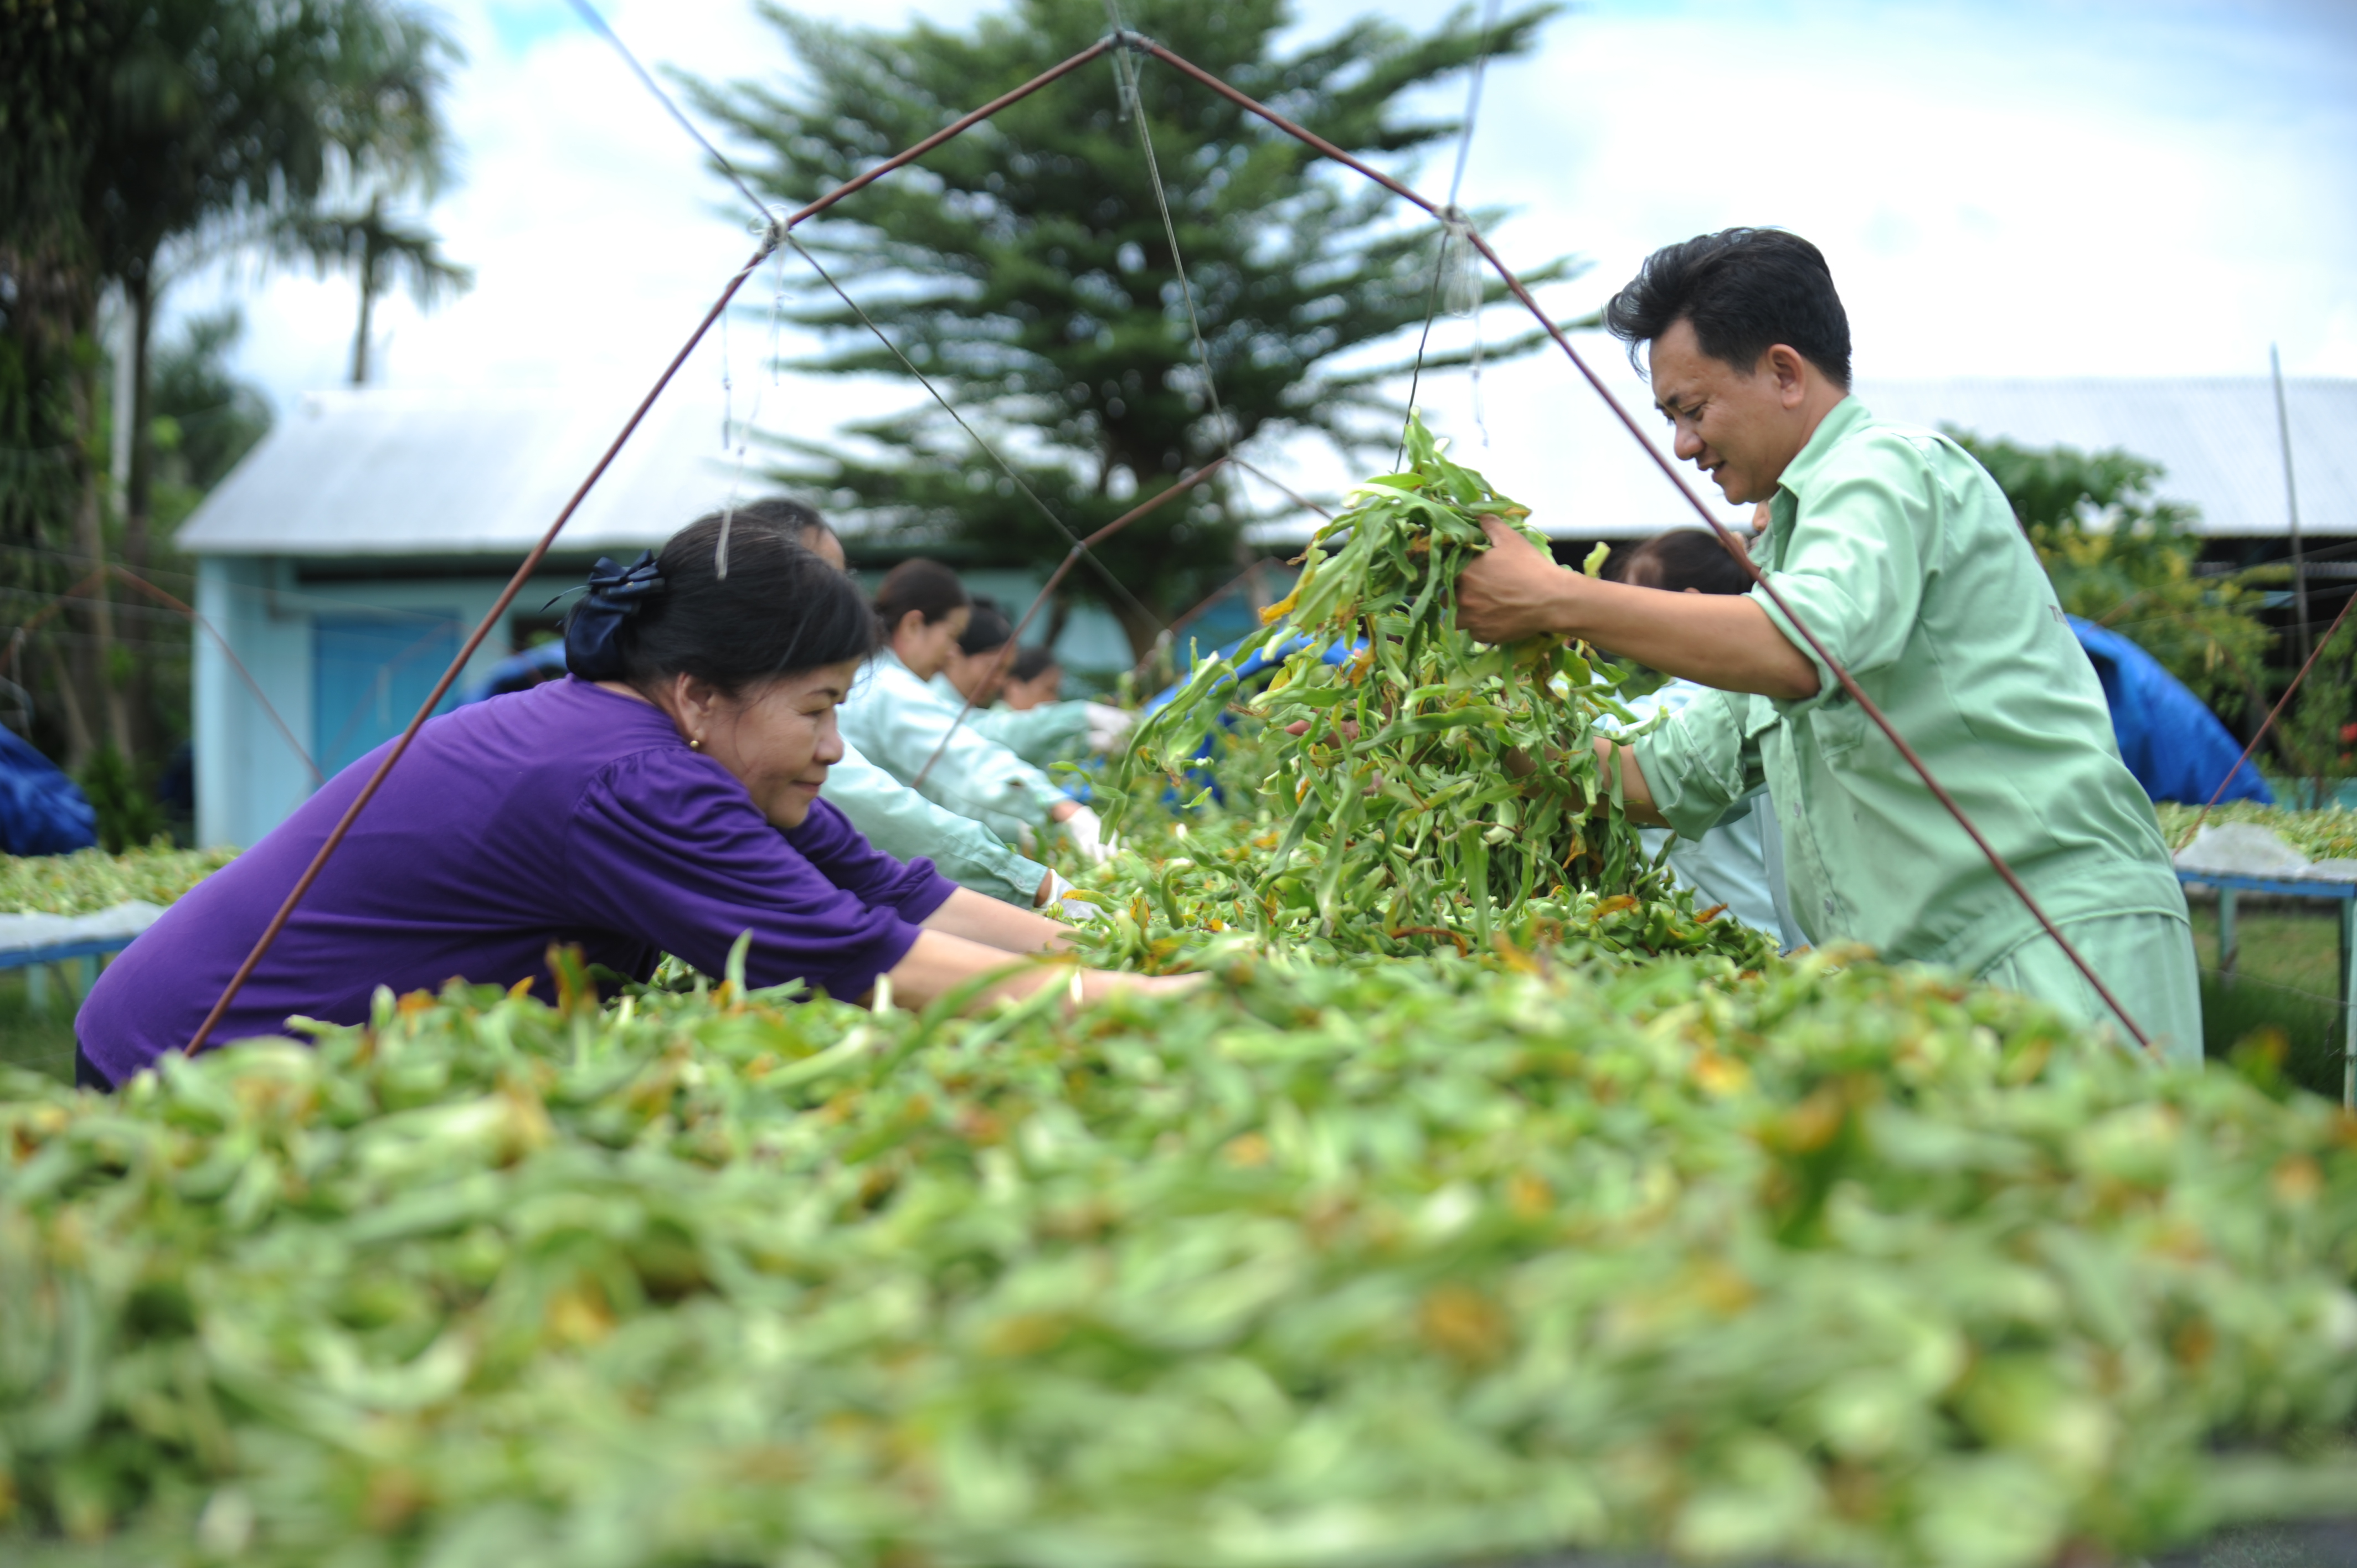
(779,612)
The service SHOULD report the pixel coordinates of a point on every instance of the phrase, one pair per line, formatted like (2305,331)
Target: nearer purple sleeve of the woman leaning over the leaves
(668,848)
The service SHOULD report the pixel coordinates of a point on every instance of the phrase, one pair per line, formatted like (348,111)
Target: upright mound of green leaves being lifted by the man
(1401,822)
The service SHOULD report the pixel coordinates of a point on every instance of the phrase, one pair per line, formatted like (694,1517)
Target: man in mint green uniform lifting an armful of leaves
(1906,560)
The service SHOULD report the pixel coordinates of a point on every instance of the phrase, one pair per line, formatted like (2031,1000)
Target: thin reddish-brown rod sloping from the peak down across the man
(1710,520)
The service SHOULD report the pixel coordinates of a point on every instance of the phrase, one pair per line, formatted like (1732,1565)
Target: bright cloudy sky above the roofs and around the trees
(2080,187)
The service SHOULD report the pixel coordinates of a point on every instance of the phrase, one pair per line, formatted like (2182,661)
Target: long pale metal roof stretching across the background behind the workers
(484,473)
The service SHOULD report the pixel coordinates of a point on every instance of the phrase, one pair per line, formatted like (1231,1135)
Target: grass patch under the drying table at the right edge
(2287,980)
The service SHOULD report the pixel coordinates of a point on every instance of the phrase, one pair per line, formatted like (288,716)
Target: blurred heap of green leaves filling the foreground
(1411,1263)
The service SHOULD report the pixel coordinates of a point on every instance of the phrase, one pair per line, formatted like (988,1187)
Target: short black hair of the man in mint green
(1745,291)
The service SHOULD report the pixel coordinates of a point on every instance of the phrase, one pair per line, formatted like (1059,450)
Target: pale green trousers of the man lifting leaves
(2148,966)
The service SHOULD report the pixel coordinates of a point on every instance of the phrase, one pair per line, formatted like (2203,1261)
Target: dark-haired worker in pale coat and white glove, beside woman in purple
(899,723)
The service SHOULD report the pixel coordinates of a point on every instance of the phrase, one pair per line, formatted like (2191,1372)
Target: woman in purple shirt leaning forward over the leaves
(659,801)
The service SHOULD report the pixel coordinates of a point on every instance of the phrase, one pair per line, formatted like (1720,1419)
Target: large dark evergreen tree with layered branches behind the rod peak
(1026,270)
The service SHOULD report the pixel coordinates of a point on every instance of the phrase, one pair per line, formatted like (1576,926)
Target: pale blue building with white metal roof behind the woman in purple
(369,534)
